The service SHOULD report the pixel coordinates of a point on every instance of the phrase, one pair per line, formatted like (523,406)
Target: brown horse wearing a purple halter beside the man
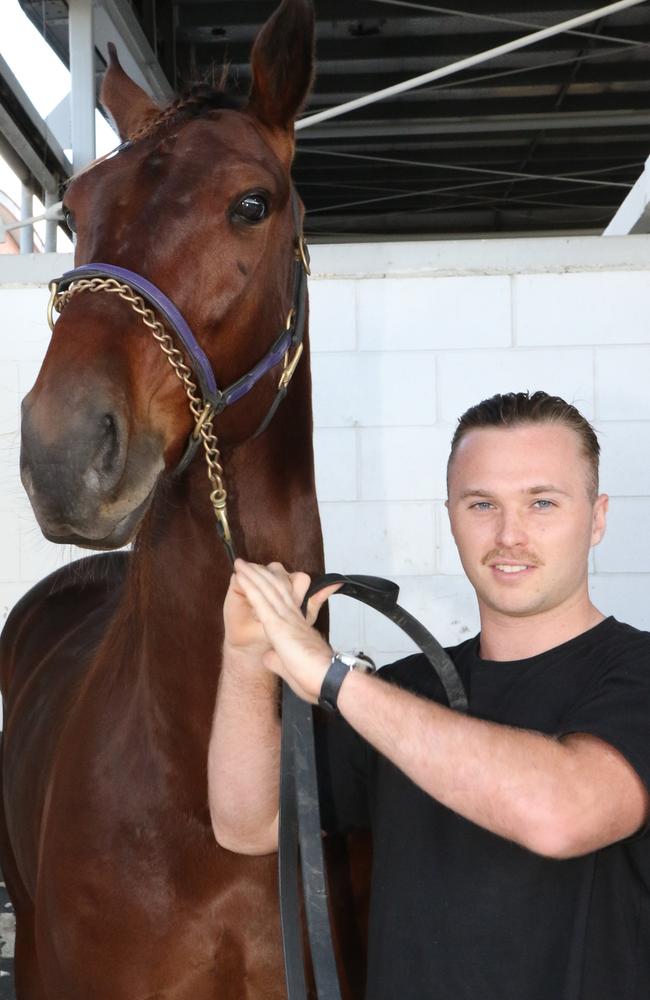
(109,667)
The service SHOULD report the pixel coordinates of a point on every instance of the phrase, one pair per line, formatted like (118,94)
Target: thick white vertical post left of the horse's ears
(82,72)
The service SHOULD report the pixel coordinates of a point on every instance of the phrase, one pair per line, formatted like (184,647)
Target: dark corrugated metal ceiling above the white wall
(545,139)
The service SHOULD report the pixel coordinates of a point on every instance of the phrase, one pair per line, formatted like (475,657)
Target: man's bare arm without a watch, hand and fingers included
(244,749)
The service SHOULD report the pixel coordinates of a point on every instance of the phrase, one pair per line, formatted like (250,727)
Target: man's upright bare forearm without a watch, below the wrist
(244,756)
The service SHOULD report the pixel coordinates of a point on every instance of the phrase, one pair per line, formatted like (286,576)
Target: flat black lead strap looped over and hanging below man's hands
(300,840)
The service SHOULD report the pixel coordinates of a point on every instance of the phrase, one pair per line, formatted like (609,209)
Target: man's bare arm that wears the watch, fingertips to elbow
(557,797)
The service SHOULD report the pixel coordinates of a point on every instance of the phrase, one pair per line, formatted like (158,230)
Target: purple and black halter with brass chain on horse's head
(206,400)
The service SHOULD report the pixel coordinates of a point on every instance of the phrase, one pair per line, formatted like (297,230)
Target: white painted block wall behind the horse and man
(405,337)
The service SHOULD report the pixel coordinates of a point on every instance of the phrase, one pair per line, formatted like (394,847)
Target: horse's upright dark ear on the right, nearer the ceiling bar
(282,63)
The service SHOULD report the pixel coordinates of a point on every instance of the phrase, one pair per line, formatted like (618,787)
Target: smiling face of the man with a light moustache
(523,517)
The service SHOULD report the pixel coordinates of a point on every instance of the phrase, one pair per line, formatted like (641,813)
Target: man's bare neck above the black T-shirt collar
(508,637)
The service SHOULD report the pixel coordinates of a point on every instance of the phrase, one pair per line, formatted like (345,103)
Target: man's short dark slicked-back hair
(513,409)
